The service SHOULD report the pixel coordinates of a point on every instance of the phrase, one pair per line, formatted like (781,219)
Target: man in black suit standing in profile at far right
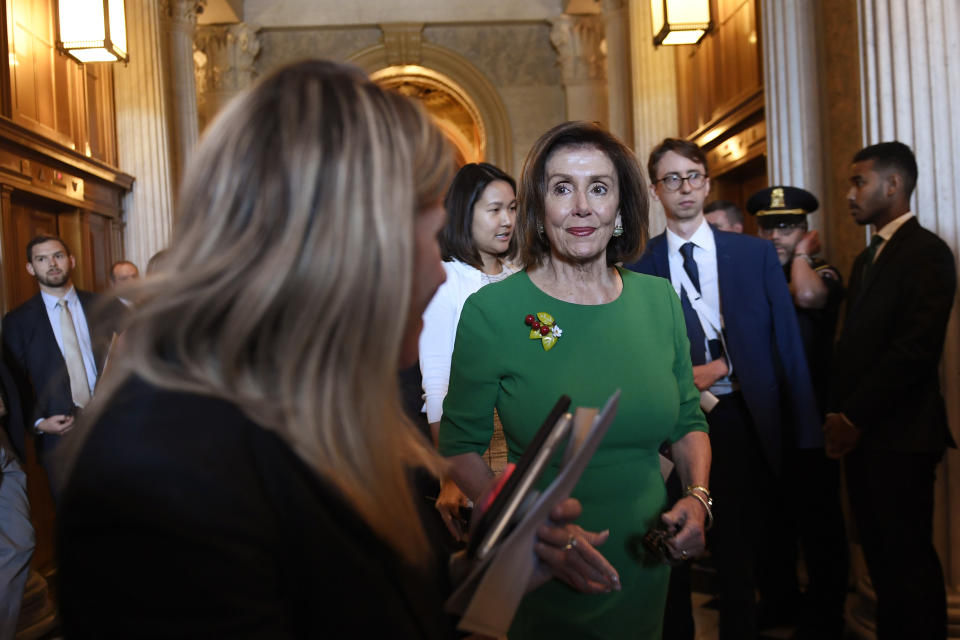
(887,416)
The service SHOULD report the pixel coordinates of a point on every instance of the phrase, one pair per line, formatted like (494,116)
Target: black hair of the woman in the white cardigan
(456,237)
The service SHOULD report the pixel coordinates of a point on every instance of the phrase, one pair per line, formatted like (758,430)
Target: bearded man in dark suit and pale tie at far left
(55,346)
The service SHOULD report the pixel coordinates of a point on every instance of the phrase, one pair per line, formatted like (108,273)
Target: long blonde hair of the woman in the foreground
(286,284)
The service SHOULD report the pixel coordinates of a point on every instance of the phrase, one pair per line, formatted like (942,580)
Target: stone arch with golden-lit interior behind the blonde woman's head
(456,89)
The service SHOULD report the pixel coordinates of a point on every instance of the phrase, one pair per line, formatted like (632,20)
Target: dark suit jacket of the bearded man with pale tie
(31,352)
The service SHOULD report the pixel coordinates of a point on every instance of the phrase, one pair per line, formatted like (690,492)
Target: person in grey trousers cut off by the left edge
(16,530)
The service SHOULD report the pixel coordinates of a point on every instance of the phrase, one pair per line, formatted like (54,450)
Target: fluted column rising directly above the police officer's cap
(794,149)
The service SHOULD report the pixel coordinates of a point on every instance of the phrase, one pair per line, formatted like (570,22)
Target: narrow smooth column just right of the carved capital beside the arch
(616,27)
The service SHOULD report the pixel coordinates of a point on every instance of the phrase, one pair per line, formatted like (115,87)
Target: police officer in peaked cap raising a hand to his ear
(814,490)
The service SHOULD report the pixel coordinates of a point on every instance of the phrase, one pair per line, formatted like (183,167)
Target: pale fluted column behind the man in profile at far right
(911,93)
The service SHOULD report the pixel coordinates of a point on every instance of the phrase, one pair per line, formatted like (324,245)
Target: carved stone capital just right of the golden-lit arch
(579,41)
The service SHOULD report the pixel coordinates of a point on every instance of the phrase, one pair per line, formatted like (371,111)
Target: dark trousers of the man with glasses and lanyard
(744,488)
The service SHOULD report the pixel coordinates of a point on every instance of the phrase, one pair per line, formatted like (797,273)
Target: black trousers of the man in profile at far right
(891,496)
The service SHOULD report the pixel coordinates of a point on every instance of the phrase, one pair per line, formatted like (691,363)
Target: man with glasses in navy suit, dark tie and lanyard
(748,360)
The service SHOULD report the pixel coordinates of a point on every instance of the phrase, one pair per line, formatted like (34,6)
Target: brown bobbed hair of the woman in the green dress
(634,204)
